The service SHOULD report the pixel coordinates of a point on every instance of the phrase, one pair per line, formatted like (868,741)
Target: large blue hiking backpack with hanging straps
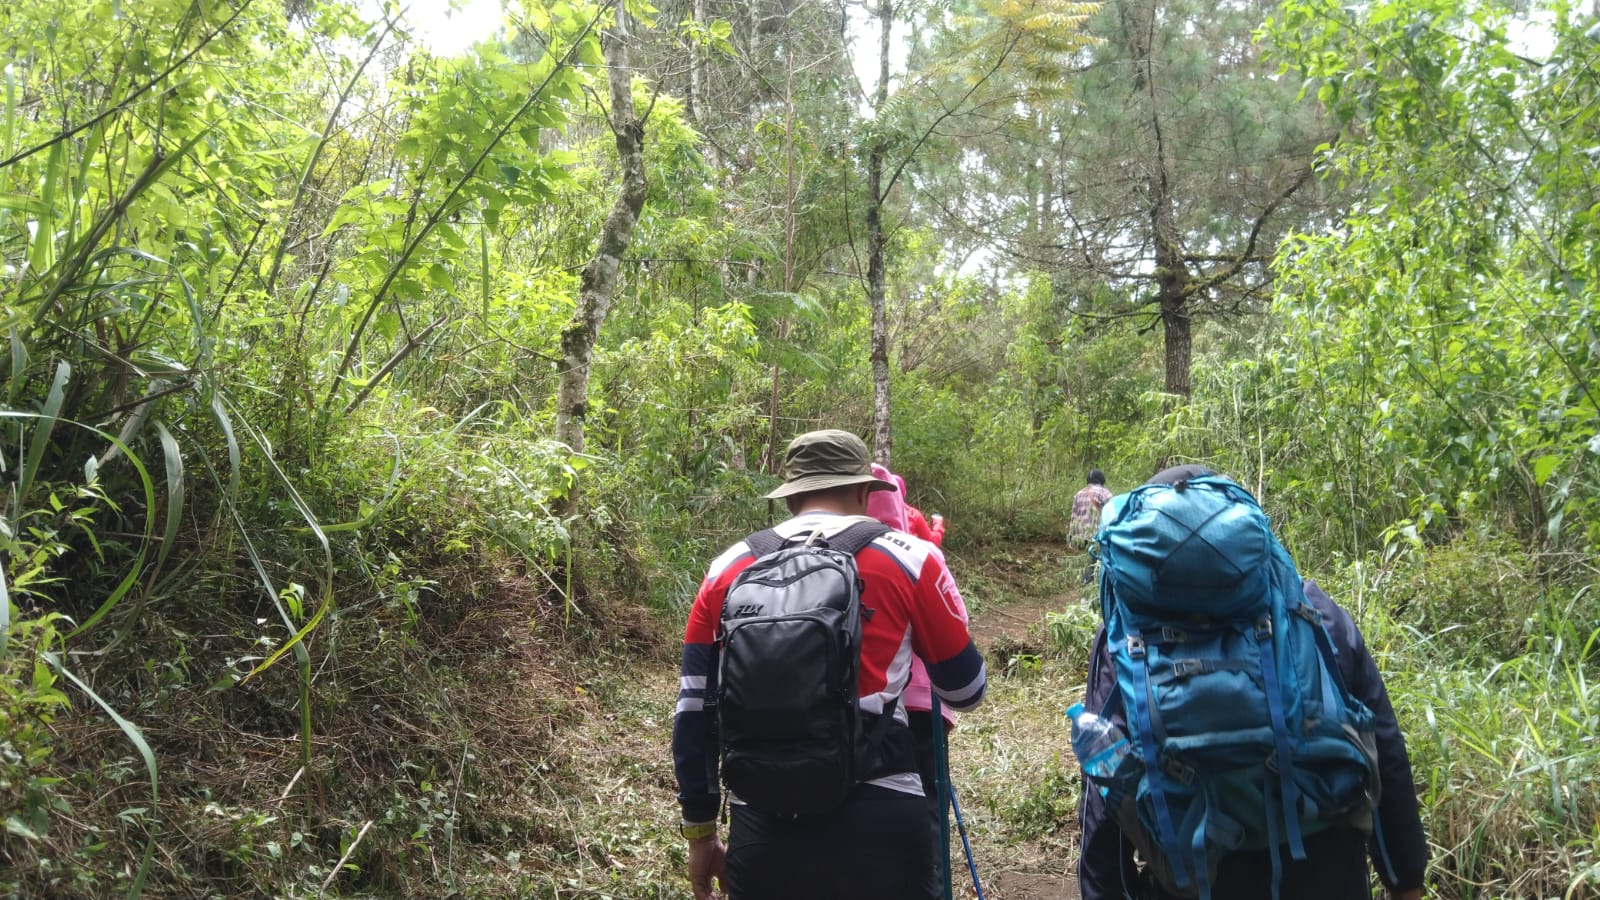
(1241,725)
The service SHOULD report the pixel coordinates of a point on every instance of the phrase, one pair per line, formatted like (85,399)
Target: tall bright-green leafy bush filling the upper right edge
(1447,329)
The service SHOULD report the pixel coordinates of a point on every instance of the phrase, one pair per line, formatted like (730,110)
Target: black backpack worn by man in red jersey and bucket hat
(786,707)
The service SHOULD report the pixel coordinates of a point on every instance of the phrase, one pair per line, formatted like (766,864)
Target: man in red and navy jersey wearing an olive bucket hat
(874,843)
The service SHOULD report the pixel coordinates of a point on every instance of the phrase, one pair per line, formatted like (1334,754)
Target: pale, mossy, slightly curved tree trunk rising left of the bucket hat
(601,275)
